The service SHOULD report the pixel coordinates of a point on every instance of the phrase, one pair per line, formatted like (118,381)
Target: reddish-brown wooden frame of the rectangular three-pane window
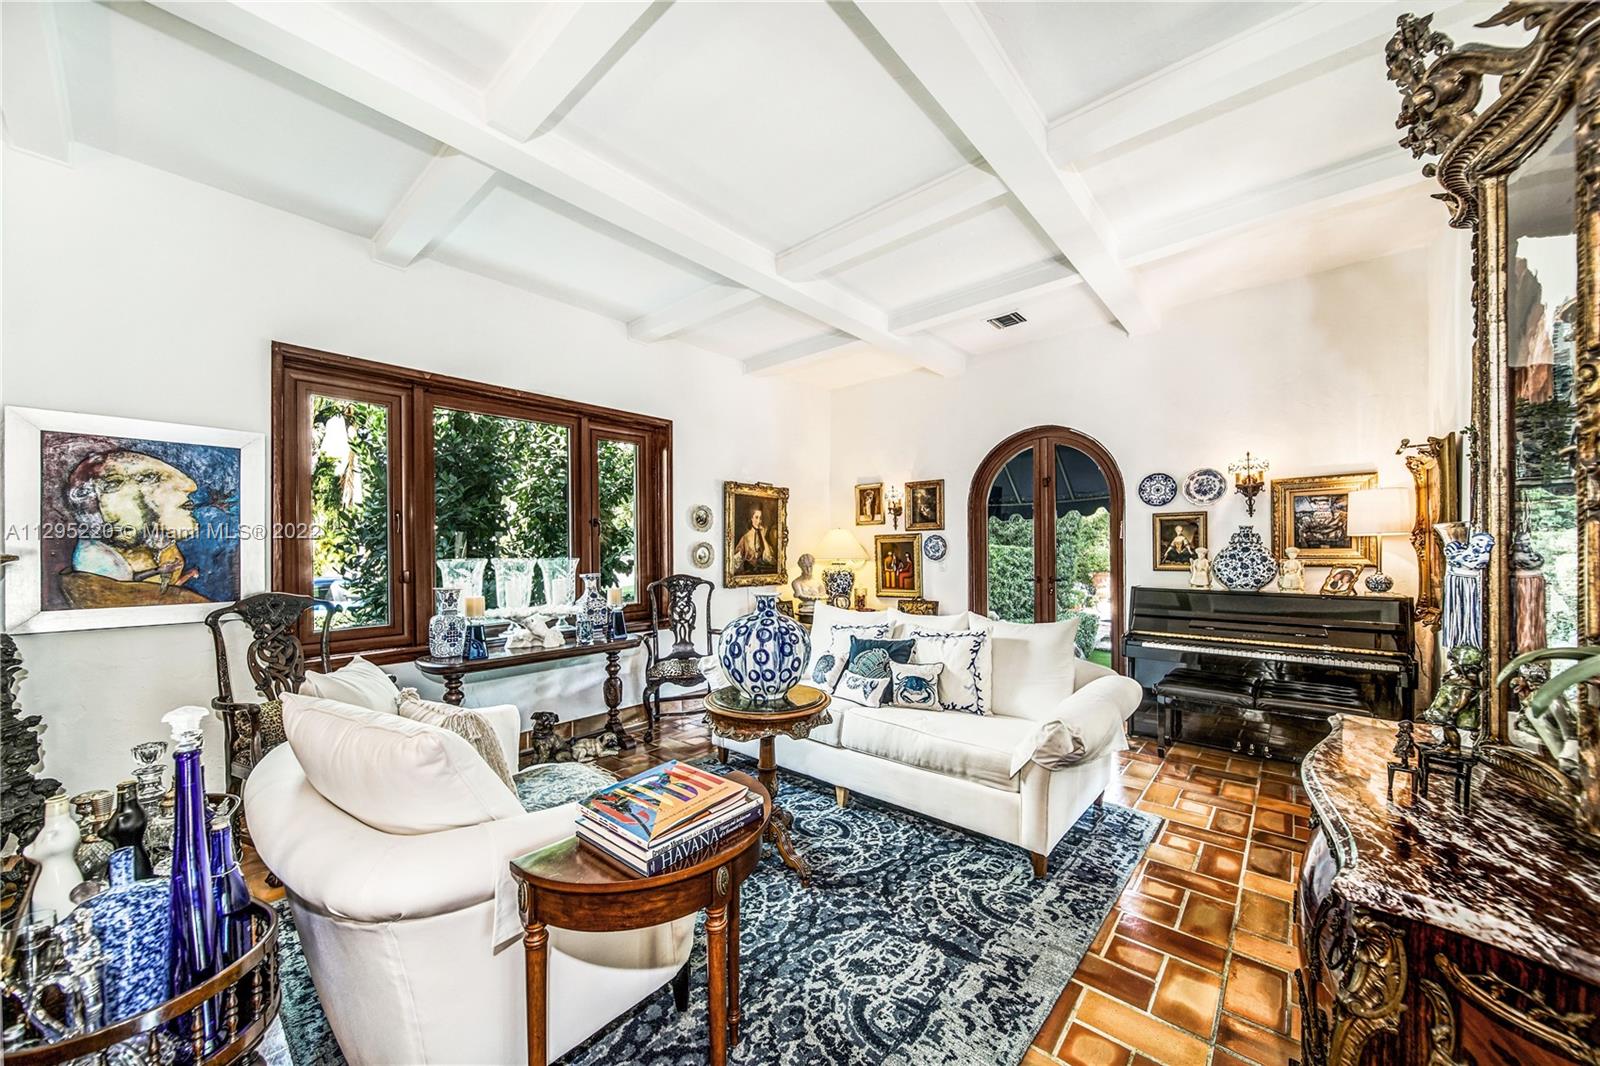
(414,395)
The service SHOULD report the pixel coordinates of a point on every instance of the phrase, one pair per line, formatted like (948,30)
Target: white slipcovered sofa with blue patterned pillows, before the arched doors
(1022,774)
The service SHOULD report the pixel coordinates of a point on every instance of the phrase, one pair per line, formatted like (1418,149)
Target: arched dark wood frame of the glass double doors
(1044,439)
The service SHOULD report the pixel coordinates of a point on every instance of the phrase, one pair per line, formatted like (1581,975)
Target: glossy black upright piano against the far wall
(1258,673)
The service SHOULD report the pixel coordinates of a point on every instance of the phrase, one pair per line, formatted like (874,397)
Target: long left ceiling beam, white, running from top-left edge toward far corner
(318,42)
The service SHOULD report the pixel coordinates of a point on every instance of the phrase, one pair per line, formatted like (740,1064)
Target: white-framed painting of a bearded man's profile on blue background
(126,523)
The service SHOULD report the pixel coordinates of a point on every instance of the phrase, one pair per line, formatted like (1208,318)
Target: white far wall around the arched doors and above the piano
(1319,375)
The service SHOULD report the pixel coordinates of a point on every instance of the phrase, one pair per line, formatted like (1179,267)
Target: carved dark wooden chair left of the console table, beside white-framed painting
(276,665)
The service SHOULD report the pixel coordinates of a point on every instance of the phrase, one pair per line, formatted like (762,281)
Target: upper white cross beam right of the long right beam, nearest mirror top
(1236,71)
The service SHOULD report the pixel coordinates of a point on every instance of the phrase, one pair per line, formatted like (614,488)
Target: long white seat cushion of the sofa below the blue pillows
(951,745)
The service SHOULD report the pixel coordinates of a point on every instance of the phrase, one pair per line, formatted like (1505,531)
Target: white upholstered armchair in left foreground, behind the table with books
(414,937)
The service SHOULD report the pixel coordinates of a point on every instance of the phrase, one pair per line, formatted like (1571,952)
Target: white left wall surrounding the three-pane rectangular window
(137,294)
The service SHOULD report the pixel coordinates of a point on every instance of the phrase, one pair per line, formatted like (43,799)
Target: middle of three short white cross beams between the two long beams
(903,217)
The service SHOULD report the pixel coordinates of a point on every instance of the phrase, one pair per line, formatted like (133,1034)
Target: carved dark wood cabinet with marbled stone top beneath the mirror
(1438,937)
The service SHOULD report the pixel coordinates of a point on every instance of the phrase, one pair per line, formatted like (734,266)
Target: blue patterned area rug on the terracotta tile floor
(916,945)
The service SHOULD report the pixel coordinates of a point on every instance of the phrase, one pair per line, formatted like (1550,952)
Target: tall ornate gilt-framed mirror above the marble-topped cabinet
(1521,167)
